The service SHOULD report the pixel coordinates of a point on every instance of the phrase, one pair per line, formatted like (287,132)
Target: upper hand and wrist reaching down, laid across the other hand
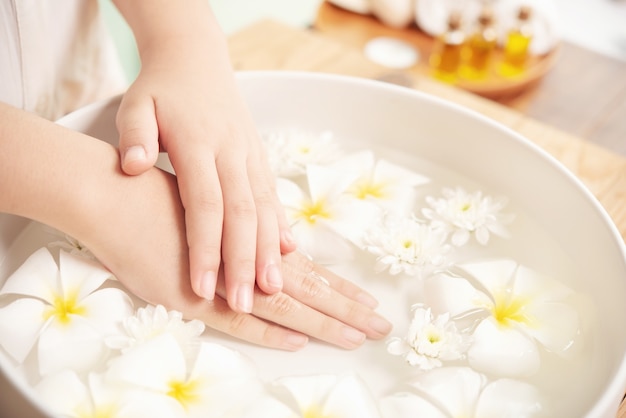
(186,102)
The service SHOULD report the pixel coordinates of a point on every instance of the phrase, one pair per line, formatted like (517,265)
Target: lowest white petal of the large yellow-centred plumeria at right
(503,351)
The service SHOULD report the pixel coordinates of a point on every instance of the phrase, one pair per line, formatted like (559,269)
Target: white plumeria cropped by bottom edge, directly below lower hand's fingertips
(344,396)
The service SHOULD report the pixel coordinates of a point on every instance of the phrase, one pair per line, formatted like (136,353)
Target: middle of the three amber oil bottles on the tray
(479,47)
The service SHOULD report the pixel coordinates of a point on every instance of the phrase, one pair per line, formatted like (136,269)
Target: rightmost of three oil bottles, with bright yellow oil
(516,47)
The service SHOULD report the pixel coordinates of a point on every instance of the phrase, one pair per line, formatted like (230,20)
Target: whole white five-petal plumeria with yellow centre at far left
(60,309)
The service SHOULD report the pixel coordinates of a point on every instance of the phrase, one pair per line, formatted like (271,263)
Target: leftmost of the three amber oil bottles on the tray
(445,58)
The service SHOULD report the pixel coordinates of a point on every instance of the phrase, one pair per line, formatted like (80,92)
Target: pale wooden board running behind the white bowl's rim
(269,45)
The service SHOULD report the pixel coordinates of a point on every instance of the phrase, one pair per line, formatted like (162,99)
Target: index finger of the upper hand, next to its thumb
(201,195)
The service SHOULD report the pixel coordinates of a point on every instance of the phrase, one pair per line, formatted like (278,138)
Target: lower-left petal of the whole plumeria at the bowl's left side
(20,324)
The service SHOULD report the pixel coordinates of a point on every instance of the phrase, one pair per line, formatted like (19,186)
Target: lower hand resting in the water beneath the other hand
(143,243)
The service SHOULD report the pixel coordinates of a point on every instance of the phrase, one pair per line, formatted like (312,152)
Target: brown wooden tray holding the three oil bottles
(357,30)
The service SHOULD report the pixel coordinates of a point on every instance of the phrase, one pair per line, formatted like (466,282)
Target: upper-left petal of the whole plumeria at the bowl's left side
(37,277)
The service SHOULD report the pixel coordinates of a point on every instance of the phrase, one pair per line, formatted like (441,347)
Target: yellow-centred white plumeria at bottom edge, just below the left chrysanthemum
(210,385)
